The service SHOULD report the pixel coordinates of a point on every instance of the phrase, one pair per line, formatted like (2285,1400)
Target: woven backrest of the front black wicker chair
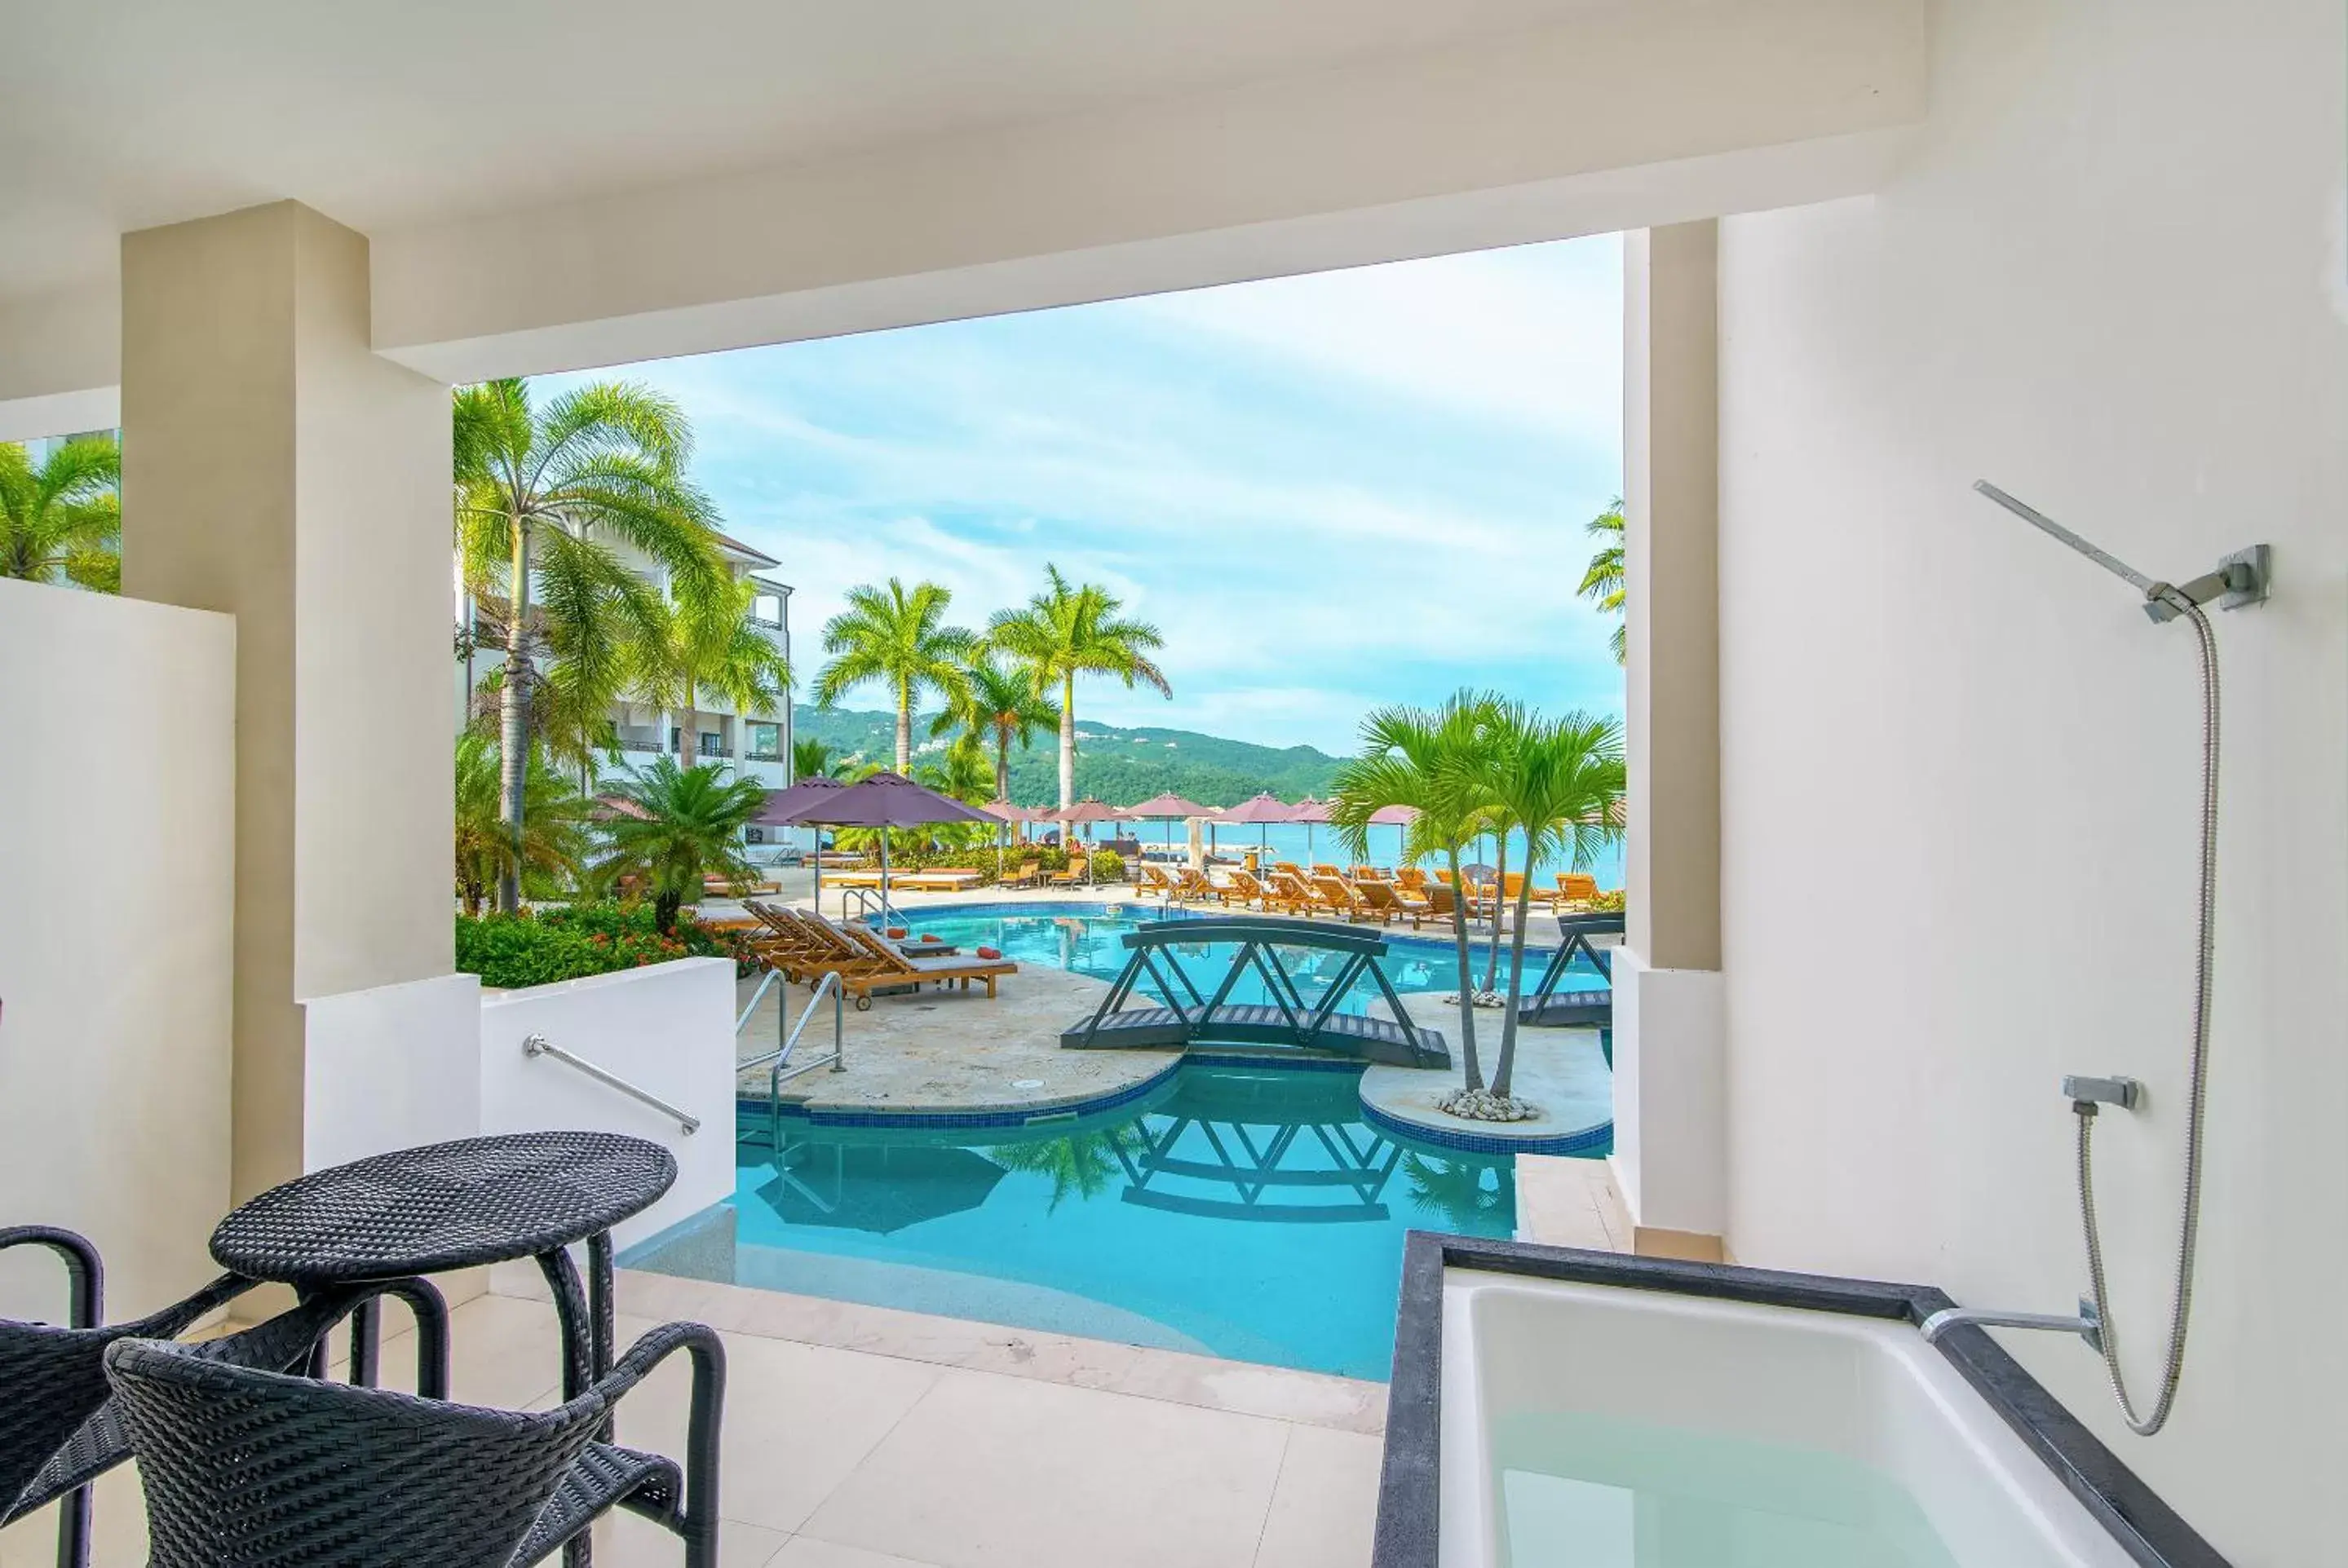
(248,1468)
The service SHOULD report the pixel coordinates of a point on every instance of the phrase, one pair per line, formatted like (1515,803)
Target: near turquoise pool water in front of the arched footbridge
(1241,1210)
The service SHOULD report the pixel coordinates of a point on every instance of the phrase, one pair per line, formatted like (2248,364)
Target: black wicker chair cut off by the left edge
(58,1428)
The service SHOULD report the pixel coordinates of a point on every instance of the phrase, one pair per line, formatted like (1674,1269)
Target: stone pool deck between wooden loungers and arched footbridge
(950,1050)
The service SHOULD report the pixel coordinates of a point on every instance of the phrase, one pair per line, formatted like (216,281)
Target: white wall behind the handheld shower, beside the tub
(1959,766)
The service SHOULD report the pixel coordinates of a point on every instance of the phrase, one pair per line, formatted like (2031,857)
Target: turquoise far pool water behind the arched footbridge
(1088,940)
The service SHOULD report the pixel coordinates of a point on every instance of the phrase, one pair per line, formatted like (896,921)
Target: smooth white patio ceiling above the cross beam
(126,114)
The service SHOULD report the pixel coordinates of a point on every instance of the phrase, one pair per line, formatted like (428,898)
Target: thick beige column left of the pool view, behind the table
(278,471)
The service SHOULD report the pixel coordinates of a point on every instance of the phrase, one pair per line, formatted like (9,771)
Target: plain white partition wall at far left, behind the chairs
(116,802)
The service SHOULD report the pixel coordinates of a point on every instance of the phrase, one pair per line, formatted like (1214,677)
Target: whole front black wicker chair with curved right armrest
(259,1471)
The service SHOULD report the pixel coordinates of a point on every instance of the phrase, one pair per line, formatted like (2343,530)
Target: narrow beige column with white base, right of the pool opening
(1668,978)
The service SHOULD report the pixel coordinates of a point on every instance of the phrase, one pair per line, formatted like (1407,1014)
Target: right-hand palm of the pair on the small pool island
(1558,783)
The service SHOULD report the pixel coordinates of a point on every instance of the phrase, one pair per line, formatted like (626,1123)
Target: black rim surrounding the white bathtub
(1410,1485)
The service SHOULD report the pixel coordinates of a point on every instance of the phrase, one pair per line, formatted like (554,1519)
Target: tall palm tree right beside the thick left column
(539,492)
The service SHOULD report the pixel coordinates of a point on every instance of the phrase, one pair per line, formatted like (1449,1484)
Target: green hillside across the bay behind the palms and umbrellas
(1119,766)
